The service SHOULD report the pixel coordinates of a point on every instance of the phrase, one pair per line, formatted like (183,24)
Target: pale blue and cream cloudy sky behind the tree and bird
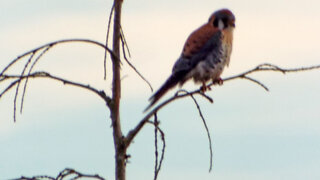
(256,134)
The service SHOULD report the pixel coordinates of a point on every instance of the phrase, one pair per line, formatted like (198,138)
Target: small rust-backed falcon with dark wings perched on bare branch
(205,54)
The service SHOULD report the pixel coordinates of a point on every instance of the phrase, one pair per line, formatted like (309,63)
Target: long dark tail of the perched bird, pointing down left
(171,82)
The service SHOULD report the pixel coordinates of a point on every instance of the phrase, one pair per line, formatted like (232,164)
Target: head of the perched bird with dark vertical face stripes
(222,19)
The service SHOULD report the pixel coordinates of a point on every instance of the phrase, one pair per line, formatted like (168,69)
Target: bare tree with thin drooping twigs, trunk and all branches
(121,141)
